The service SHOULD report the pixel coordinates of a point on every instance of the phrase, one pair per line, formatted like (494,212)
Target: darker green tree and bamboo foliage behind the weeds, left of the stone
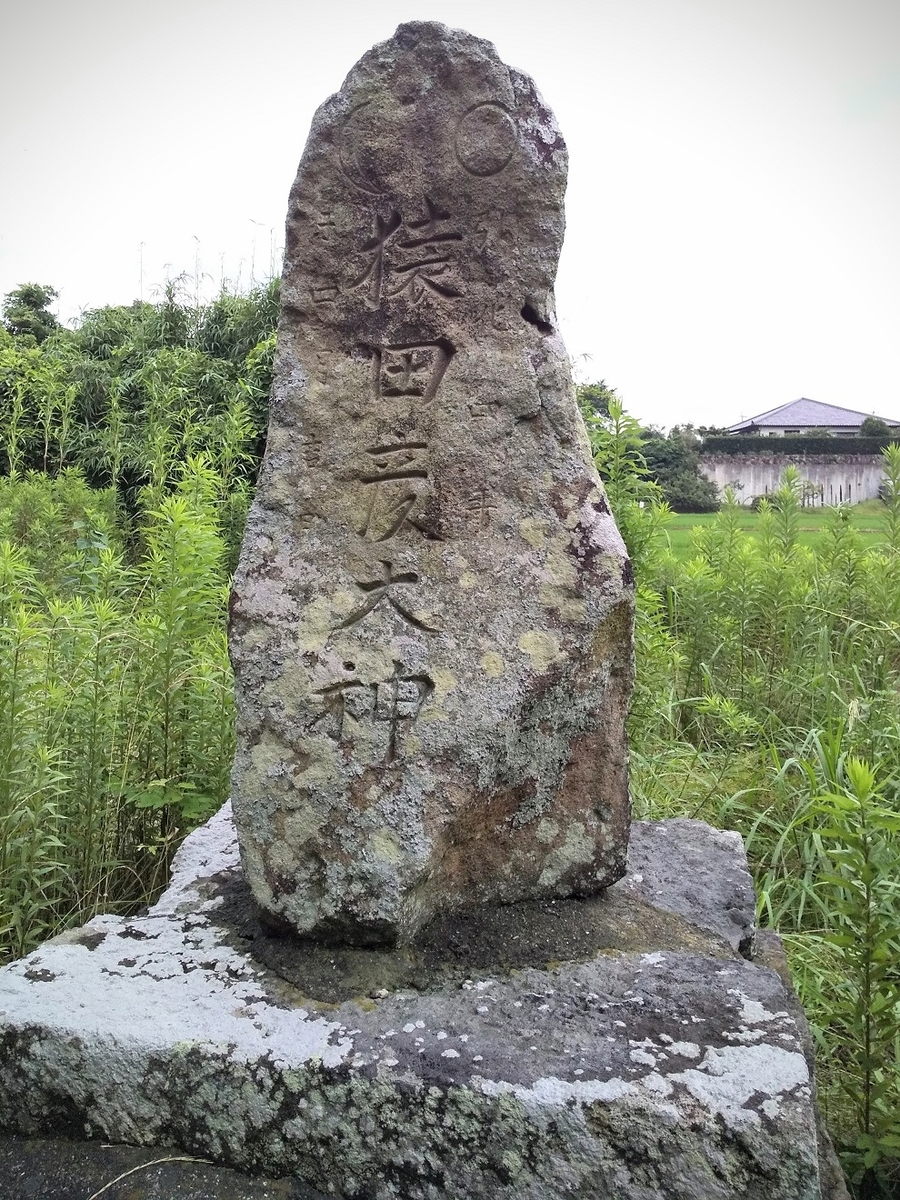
(134,393)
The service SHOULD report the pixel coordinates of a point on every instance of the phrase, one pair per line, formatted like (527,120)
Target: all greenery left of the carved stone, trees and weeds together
(129,451)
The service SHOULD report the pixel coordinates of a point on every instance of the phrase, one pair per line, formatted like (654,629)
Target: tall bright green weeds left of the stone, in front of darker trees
(116,710)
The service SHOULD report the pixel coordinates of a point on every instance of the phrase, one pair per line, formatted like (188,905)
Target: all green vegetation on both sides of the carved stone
(769,656)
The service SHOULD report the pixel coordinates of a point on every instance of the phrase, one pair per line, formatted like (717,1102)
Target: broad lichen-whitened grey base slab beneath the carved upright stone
(671,1071)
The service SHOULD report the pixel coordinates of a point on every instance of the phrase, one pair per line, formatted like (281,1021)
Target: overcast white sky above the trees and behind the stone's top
(734,208)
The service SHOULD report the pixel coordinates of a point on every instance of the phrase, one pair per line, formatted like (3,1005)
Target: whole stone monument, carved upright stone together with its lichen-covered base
(494,992)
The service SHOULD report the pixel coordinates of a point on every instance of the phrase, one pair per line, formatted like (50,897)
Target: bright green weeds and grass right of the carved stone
(767,701)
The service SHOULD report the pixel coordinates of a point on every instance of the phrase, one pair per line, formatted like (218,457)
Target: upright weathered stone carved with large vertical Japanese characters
(431,622)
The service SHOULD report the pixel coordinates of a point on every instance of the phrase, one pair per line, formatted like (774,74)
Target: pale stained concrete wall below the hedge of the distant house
(835,479)
